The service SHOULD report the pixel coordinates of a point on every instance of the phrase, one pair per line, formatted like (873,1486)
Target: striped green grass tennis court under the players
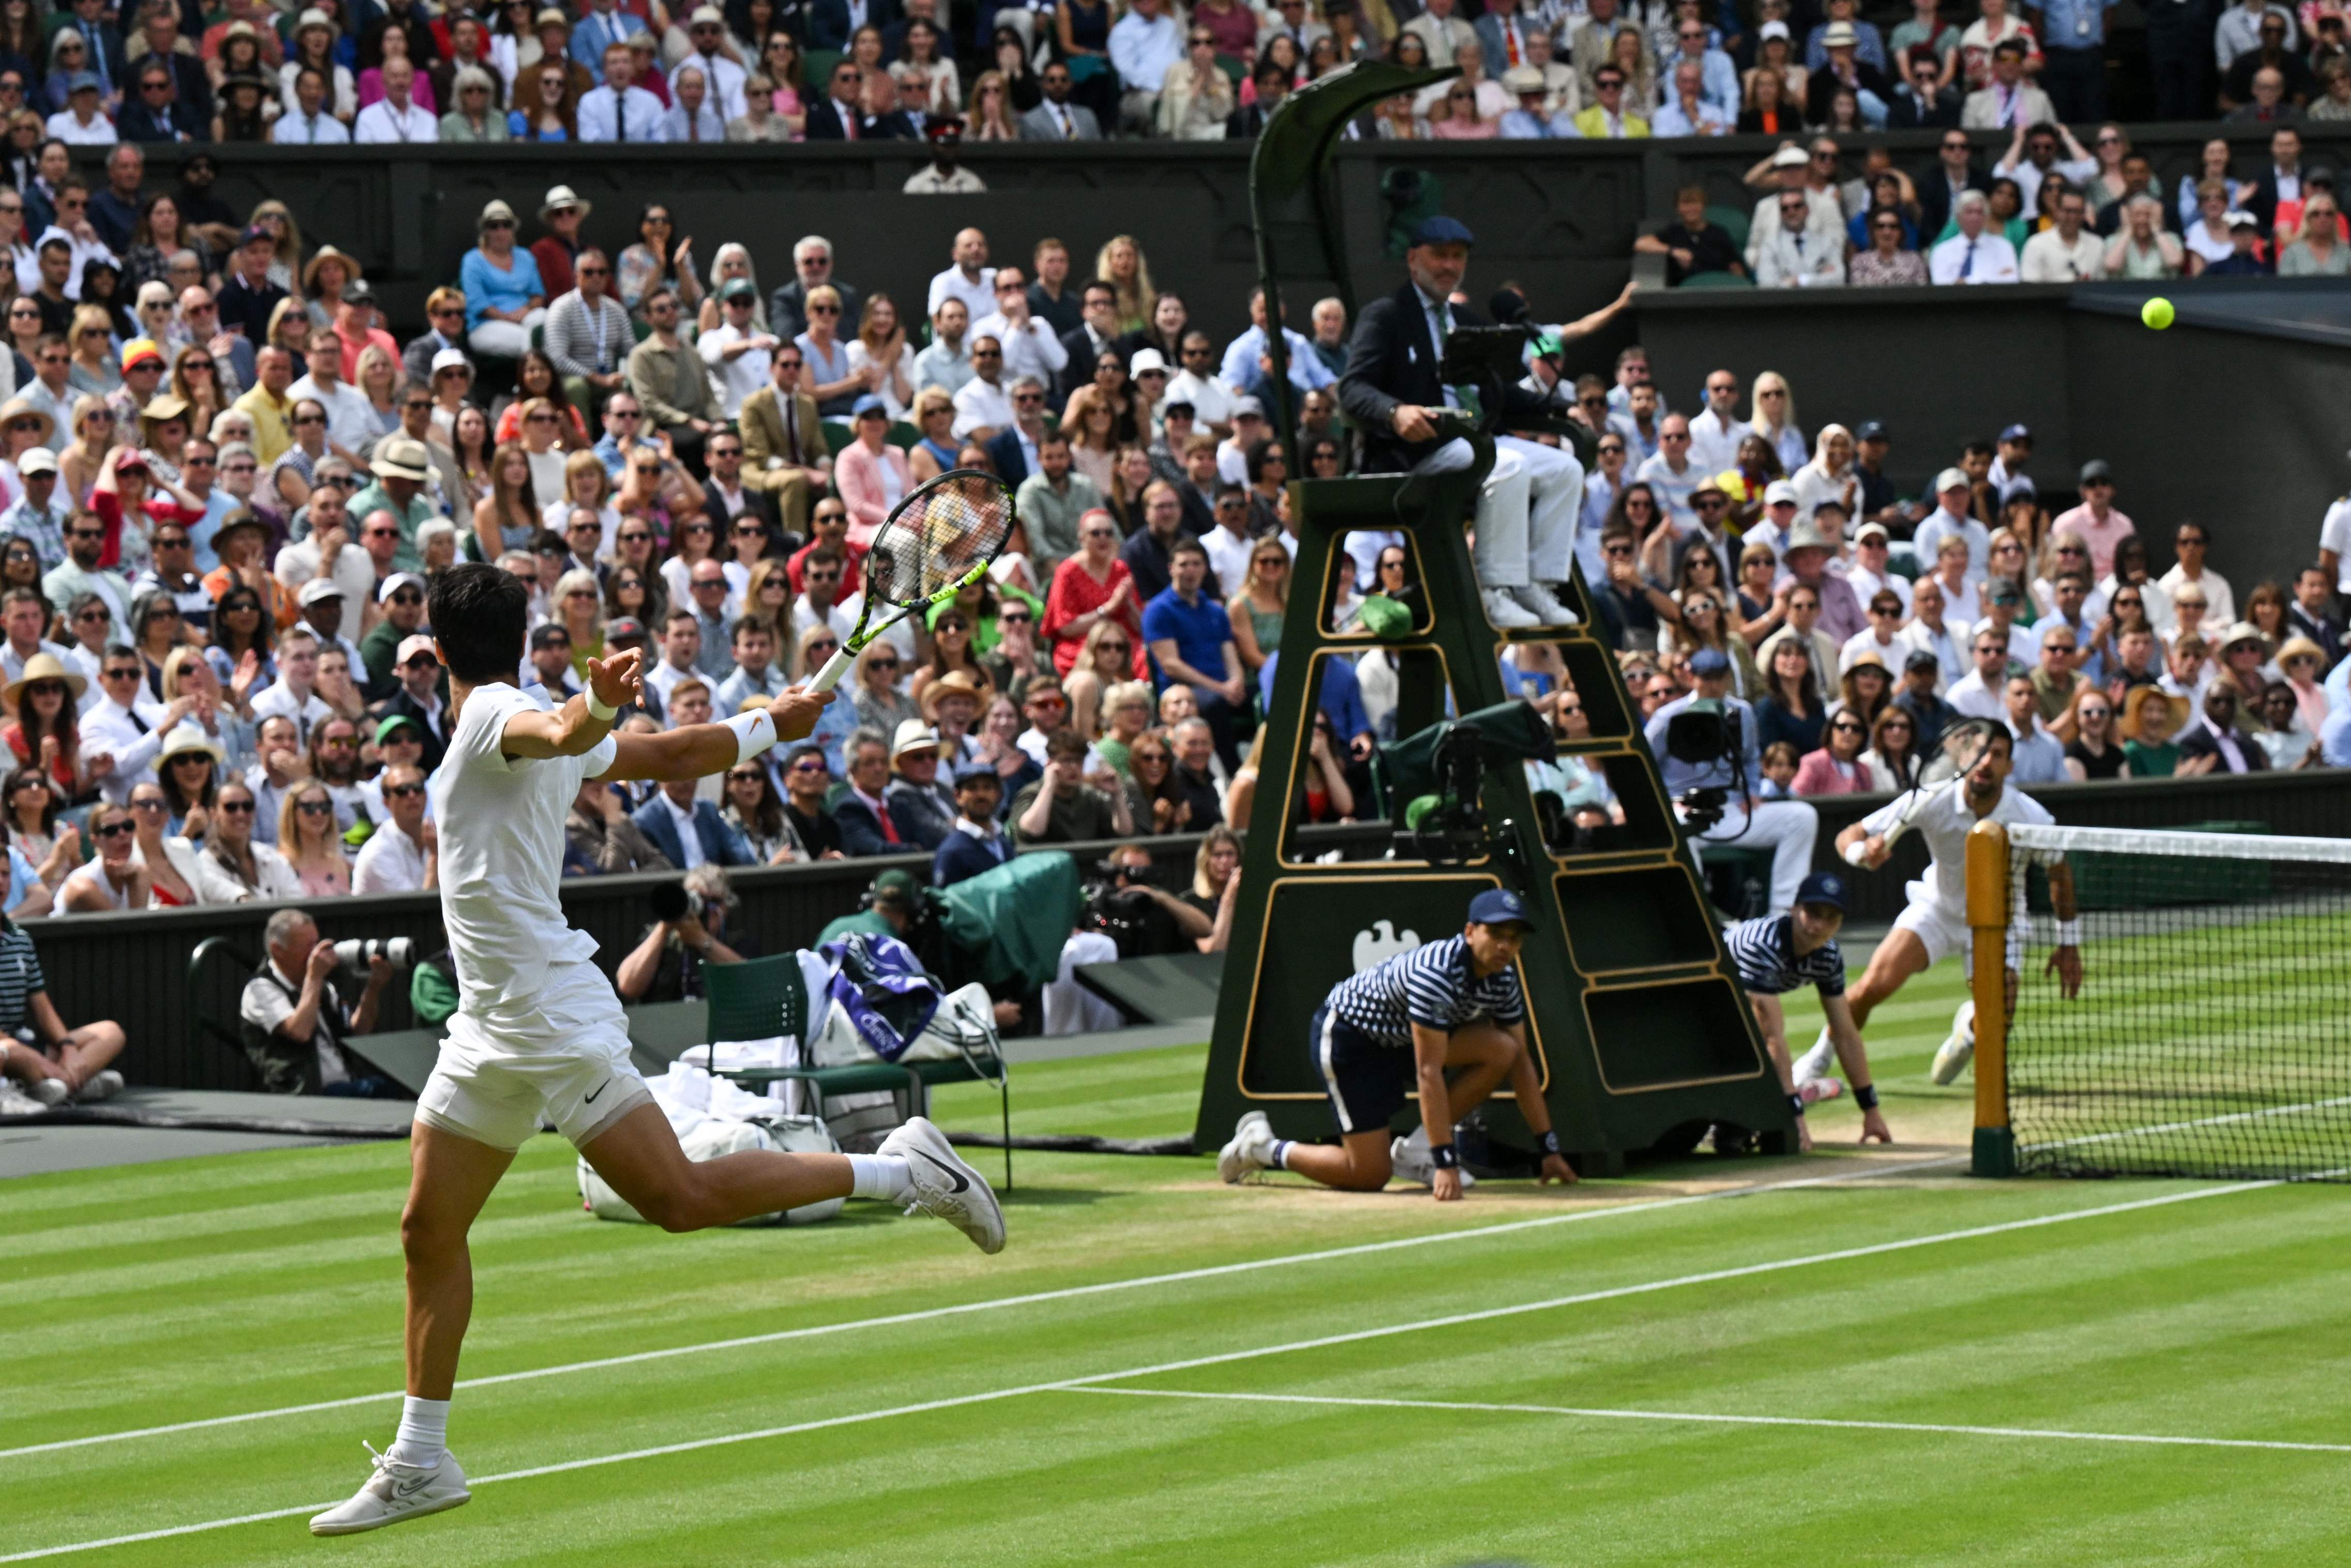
(1623,1405)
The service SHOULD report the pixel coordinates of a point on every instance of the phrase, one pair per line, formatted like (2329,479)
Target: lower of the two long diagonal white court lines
(1170,1367)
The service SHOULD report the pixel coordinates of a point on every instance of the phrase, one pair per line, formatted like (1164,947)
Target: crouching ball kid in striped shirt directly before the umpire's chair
(1398,1028)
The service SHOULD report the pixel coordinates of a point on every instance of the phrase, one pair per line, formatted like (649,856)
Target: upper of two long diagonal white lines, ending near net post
(1000,1304)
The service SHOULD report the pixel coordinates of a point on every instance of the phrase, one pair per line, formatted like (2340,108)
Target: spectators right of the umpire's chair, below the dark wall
(1858,622)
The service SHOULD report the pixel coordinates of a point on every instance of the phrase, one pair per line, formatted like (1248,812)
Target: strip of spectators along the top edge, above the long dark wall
(373,72)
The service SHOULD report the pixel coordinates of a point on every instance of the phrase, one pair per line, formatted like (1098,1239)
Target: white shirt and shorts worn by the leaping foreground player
(540,1031)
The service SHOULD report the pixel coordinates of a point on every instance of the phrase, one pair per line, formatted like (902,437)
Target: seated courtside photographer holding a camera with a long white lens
(295,1024)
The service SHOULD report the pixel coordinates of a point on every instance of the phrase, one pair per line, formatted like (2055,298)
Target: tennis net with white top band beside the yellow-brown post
(2213,1026)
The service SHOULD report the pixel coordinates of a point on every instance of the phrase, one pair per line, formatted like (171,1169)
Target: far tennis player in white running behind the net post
(1936,920)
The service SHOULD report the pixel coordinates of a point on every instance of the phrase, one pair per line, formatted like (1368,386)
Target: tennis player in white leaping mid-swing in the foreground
(540,1031)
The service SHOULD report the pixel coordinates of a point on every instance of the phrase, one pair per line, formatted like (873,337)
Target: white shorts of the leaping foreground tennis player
(500,1092)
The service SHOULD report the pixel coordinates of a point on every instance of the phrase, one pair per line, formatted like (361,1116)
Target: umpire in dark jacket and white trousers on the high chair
(1529,504)
